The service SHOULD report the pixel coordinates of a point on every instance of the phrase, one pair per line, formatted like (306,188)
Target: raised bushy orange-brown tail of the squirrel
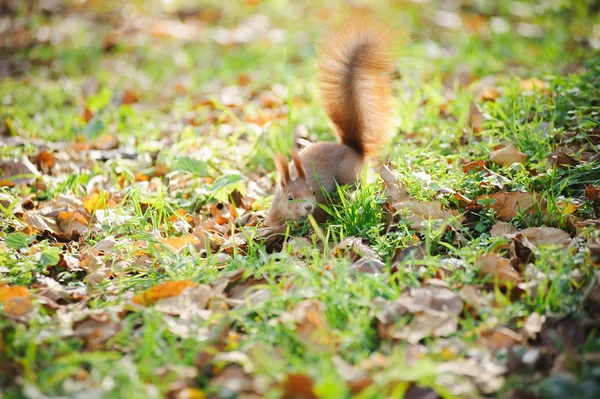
(356,65)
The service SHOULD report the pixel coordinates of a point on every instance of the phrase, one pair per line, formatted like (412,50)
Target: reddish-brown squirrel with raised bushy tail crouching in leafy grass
(355,73)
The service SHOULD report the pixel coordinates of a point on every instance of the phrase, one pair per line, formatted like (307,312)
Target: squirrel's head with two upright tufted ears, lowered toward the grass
(295,197)
